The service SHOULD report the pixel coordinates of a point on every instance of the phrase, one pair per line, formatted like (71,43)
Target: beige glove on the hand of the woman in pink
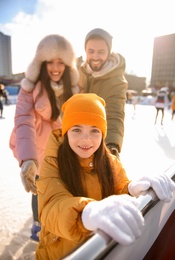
(28,174)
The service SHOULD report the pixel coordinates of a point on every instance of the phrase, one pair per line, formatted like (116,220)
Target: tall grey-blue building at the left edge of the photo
(5,56)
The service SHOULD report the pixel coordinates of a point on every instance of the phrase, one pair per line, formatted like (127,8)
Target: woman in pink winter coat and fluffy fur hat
(51,79)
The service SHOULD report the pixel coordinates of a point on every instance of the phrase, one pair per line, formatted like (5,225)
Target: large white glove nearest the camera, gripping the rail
(117,215)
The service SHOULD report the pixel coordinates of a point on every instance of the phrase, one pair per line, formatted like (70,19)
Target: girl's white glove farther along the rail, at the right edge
(161,184)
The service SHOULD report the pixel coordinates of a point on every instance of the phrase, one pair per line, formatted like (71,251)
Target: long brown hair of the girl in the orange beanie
(71,173)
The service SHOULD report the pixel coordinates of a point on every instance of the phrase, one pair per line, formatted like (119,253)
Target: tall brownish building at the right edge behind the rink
(163,63)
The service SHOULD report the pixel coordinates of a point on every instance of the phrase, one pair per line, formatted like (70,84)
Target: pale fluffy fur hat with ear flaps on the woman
(51,47)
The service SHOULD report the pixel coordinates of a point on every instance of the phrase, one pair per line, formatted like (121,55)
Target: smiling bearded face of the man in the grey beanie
(96,53)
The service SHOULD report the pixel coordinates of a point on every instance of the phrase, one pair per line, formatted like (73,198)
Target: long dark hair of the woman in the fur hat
(45,84)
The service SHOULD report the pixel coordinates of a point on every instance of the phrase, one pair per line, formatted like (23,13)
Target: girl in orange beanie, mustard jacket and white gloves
(82,187)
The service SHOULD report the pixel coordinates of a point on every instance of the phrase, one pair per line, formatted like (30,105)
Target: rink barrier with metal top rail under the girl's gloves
(156,214)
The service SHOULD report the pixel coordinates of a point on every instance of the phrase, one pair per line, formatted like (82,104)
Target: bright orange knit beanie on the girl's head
(87,109)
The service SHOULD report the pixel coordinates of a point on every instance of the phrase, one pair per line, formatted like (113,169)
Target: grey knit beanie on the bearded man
(100,33)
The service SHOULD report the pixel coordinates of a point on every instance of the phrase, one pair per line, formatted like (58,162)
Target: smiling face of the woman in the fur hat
(55,69)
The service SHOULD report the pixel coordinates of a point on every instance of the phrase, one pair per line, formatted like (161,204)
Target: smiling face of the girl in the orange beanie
(84,140)
